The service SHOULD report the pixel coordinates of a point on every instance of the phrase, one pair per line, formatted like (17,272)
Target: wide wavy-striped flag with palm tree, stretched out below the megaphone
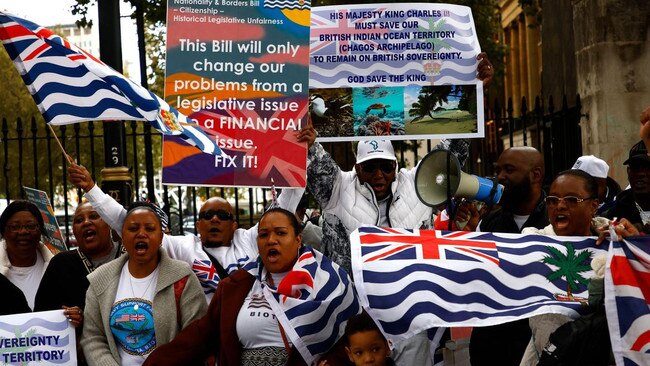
(412,280)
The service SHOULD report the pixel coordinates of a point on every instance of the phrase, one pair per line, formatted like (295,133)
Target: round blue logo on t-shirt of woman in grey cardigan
(131,322)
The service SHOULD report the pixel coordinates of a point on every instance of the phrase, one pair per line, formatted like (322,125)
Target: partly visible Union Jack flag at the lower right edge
(627,300)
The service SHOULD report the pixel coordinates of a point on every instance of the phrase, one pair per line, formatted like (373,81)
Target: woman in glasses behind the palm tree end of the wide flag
(572,203)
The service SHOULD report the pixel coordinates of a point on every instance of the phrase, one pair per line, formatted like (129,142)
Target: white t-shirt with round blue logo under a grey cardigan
(131,317)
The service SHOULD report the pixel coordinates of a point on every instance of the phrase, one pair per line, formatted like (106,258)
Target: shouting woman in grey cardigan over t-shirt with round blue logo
(140,300)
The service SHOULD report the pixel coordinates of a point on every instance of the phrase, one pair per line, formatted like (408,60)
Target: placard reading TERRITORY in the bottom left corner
(41,338)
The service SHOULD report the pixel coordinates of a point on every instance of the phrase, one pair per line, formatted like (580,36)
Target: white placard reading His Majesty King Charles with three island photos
(401,71)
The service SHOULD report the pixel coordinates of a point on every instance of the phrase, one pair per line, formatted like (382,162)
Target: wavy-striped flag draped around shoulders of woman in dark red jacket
(313,302)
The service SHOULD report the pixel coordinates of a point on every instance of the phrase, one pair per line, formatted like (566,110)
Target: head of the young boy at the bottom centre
(366,344)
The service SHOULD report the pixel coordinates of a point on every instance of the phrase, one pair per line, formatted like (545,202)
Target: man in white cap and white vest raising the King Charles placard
(375,193)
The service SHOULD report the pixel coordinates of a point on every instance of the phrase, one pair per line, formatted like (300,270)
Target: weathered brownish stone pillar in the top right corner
(612,54)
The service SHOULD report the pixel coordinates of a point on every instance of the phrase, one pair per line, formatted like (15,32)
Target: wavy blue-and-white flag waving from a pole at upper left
(70,85)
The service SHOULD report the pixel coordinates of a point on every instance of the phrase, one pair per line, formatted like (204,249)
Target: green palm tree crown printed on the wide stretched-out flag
(570,265)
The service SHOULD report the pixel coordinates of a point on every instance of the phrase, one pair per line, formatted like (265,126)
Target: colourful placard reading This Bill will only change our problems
(240,70)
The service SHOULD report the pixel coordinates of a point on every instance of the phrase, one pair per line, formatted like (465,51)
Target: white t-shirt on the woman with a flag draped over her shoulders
(257,325)
